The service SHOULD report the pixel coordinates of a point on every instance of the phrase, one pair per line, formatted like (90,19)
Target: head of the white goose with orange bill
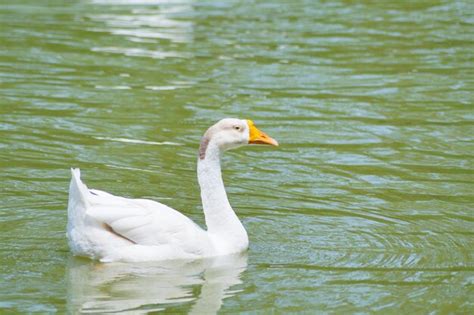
(231,133)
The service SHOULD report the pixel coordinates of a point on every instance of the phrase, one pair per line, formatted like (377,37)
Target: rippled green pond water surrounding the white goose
(367,205)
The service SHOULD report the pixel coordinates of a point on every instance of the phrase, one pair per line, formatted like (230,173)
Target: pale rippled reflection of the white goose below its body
(141,288)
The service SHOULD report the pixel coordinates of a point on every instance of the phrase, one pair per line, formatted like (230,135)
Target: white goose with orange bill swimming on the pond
(111,228)
